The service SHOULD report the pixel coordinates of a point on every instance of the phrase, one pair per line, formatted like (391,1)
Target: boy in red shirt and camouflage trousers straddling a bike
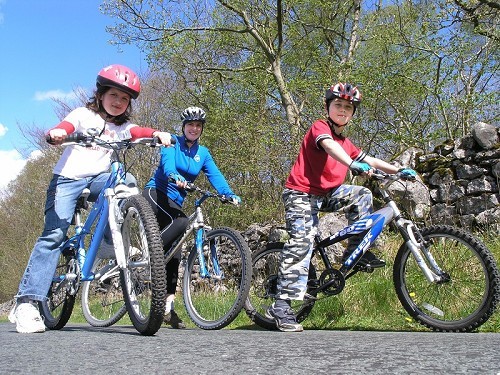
(316,183)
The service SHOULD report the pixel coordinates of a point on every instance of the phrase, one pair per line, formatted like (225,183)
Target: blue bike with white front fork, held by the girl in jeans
(135,270)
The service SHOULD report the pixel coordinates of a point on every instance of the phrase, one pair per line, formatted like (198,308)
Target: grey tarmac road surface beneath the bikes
(82,349)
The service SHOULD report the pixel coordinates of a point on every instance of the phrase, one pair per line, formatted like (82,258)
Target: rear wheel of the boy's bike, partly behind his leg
(265,266)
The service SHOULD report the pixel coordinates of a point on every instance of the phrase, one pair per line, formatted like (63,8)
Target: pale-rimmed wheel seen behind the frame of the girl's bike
(102,298)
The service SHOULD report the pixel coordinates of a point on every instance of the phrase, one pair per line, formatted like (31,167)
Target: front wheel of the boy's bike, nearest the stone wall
(467,300)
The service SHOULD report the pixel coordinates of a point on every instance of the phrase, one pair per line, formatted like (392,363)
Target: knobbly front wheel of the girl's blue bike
(144,278)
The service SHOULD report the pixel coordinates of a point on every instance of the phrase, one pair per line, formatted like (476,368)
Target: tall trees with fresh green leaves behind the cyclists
(260,70)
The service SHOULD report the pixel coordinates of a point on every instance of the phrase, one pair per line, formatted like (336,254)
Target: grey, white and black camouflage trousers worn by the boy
(301,215)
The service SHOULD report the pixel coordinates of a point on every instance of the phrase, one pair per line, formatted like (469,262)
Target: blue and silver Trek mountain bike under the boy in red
(445,278)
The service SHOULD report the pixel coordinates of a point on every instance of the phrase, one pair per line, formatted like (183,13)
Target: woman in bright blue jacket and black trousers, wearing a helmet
(165,192)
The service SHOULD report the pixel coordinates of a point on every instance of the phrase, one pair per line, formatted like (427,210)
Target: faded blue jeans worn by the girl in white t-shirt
(62,196)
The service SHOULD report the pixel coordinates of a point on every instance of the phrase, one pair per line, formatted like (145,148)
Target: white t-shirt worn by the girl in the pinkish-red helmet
(78,162)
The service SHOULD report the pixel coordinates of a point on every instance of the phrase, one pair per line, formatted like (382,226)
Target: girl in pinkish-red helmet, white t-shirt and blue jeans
(79,167)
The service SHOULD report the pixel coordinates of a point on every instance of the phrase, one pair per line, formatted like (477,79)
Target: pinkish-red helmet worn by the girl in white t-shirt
(120,77)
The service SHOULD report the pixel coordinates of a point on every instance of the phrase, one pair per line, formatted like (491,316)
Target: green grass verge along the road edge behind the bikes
(368,302)
